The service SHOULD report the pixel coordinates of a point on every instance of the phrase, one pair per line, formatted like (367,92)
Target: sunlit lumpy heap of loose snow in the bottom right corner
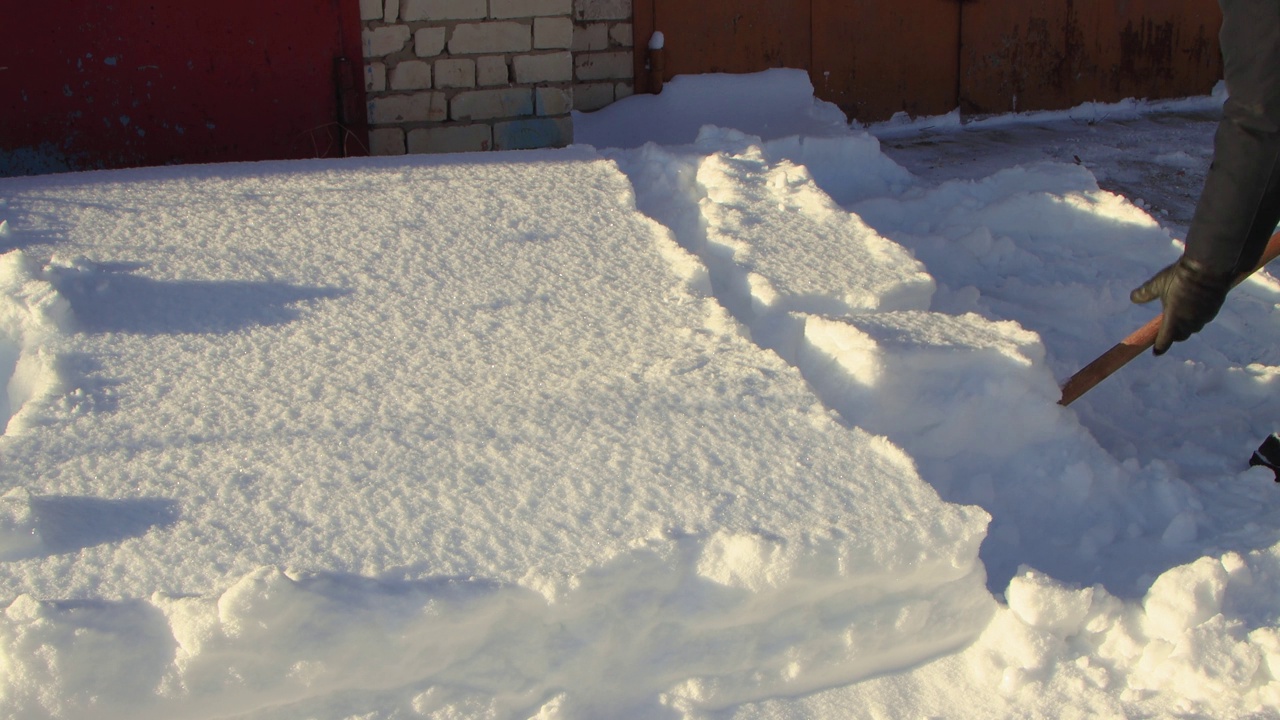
(1203,642)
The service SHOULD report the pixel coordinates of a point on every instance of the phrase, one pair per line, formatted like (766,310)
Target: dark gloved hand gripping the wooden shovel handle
(1191,298)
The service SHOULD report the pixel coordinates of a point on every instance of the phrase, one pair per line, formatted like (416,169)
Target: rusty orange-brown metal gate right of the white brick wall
(930,57)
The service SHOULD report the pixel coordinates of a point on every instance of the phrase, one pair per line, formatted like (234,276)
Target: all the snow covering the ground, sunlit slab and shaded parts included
(733,411)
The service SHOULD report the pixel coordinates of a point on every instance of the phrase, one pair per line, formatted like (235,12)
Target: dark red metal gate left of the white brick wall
(118,84)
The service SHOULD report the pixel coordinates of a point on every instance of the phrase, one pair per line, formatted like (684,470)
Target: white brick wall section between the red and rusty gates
(450,76)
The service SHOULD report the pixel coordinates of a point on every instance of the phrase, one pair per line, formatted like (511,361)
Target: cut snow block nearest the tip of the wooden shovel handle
(957,386)
